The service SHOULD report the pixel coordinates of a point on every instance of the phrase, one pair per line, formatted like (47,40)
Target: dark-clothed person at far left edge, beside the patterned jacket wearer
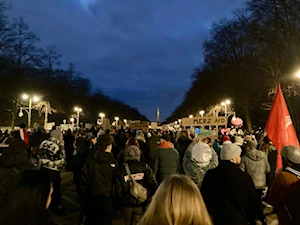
(13,161)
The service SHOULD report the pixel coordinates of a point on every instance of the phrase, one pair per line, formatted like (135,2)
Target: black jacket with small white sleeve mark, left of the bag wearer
(97,175)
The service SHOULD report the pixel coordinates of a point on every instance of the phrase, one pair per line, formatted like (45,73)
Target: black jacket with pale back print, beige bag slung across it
(122,189)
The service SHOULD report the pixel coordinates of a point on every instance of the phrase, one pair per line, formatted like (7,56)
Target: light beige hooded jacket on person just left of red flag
(256,164)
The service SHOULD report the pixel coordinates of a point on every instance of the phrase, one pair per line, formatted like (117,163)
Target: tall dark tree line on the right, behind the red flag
(245,57)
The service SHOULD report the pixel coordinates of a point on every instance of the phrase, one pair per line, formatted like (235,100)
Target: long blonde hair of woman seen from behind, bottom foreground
(177,201)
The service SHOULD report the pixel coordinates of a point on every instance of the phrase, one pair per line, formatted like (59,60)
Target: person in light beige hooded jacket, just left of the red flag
(256,164)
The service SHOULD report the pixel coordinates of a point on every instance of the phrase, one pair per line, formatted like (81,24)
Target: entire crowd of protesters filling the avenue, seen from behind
(153,177)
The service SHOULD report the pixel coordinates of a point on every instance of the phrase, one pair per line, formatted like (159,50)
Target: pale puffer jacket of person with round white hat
(196,171)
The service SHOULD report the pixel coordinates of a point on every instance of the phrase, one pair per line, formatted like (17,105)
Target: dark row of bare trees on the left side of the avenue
(26,67)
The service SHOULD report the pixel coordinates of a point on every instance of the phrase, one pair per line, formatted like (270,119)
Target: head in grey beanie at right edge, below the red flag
(291,157)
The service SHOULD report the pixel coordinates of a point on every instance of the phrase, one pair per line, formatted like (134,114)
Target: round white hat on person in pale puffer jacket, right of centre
(202,153)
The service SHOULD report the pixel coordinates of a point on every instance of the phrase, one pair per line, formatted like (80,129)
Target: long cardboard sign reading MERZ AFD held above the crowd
(204,121)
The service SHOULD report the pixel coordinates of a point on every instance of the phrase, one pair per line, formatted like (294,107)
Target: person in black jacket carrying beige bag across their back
(132,208)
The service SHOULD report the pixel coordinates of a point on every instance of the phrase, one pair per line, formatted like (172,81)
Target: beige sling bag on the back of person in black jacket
(136,190)
